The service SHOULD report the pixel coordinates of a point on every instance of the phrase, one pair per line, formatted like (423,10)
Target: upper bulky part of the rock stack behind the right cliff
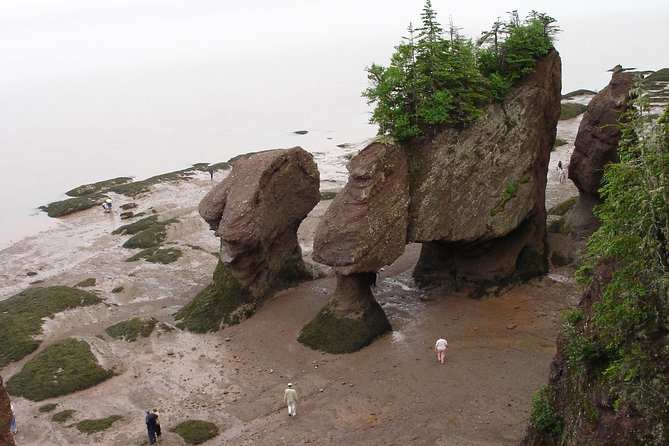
(598,135)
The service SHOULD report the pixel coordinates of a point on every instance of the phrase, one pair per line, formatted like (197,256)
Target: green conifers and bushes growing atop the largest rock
(439,78)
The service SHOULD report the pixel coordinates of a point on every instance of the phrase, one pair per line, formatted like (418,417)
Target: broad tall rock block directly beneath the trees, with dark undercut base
(478,194)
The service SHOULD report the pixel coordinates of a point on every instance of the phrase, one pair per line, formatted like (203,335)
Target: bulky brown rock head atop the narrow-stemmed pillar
(365,227)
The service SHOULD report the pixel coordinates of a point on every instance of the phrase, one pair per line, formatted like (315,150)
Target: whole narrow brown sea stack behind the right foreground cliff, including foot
(595,146)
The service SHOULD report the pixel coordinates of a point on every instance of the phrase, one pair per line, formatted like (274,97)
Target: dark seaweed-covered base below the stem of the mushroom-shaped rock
(330,333)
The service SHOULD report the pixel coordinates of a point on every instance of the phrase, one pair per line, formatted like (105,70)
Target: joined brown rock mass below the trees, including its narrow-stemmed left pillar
(475,198)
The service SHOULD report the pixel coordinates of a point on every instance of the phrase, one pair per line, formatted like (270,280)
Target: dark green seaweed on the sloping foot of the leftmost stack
(224,302)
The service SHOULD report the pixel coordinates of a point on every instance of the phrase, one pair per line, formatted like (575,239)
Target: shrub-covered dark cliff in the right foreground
(617,353)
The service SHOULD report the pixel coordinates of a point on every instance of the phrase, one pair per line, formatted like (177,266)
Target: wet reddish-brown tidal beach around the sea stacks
(390,393)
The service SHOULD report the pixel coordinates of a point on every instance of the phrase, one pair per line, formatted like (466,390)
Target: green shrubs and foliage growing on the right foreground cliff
(631,321)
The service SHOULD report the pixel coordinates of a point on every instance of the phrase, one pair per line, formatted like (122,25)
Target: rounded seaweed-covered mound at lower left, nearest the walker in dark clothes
(61,368)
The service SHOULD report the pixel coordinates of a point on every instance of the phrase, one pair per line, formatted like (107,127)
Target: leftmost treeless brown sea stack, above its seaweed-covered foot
(256,211)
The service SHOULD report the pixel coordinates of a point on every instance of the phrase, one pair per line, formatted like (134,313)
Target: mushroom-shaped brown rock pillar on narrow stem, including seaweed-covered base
(364,229)
